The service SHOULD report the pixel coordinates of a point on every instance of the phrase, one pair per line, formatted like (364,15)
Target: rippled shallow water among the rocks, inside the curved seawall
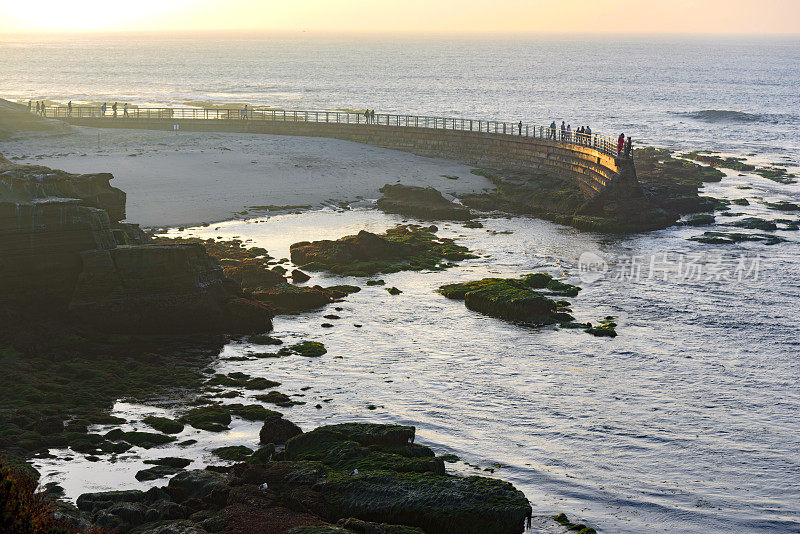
(687,421)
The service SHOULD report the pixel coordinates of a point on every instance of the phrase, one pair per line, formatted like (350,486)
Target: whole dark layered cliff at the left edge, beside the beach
(63,249)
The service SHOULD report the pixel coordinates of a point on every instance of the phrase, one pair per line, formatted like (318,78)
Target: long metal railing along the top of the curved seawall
(602,143)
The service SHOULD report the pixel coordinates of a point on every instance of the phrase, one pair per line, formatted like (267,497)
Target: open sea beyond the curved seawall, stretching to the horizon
(730,94)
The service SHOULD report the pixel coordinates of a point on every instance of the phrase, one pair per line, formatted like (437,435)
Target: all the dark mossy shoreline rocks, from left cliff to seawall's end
(94,311)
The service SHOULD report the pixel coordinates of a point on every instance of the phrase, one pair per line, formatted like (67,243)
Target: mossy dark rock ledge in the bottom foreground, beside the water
(338,479)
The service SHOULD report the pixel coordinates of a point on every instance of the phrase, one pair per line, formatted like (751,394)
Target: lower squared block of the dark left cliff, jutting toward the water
(163,289)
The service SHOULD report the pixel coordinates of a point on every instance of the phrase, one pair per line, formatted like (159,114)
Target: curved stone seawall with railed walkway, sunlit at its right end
(589,164)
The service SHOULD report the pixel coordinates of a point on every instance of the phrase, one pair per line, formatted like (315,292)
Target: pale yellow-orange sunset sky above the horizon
(430,16)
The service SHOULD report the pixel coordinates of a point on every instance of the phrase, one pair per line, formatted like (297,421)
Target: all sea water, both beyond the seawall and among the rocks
(686,422)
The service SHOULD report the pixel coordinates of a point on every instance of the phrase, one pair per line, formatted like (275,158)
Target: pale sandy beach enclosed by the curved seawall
(193,178)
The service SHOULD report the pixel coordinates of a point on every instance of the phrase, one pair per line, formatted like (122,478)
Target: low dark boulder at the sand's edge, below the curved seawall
(421,202)
